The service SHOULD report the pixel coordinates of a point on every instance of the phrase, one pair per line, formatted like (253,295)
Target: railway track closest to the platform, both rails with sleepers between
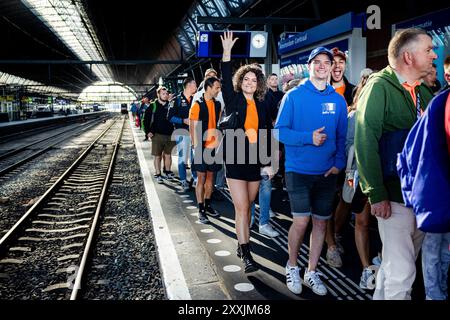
(44,255)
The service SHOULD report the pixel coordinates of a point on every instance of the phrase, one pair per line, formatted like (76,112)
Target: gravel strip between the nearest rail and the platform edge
(125,264)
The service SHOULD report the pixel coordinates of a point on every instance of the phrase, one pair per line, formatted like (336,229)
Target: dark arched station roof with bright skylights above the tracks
(69,31)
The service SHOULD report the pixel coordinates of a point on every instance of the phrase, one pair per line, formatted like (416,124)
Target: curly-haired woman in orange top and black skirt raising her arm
(245,94)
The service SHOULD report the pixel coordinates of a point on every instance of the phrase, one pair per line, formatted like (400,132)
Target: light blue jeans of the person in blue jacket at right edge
(435,263)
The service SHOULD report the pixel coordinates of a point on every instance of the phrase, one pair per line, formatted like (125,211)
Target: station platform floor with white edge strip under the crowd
(199,261)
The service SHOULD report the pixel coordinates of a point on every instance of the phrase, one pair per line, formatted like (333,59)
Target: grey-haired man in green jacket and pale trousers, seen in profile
(388,107)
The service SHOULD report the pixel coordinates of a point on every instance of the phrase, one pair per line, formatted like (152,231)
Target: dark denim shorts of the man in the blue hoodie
(311,194)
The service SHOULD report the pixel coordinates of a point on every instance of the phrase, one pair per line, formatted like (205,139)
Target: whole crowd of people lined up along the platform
(339,148)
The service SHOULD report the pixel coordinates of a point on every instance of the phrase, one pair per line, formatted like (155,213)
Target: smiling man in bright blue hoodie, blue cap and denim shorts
(312,124)
